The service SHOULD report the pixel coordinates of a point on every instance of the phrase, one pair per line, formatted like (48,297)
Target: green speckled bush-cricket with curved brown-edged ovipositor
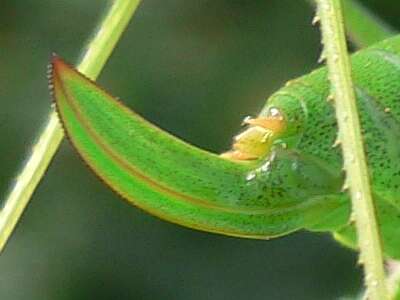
(283,172)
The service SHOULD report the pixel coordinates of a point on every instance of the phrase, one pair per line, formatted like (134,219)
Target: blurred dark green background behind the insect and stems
(195,68)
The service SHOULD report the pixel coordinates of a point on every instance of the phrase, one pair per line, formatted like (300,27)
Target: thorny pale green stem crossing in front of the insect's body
(357,179)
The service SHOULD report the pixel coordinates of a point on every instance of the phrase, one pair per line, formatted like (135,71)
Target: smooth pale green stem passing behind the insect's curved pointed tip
(95,57)
